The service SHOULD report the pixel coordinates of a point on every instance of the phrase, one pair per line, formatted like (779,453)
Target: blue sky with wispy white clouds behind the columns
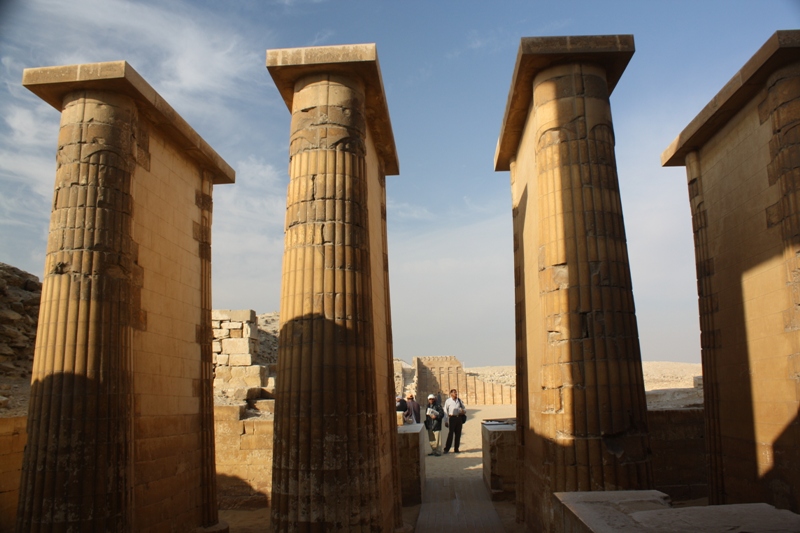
(447,70)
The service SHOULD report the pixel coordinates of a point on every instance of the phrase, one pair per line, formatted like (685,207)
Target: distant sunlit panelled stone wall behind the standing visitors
(439,374)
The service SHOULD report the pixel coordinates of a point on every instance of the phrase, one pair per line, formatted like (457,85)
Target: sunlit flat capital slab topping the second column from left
(287,65)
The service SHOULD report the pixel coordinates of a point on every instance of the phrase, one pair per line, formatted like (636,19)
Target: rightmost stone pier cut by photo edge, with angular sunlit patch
(742,159)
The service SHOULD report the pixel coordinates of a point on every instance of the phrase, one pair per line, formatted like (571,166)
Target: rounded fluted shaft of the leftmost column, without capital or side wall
(76,469)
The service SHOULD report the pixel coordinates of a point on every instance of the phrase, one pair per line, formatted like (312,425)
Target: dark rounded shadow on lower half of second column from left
(329,440)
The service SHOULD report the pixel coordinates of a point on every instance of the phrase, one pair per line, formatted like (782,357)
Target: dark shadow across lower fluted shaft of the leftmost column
(76,467)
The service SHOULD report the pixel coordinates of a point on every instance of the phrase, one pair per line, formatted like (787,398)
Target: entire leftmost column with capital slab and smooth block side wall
(121,421)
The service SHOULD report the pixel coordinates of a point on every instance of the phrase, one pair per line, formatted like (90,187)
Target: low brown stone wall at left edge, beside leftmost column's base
(13,436)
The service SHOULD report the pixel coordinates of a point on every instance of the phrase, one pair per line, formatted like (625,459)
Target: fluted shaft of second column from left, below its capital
(326,468)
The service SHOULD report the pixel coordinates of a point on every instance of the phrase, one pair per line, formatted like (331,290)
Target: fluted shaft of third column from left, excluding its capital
(592,410)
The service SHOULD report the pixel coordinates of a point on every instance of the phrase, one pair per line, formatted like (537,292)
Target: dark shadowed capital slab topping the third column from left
(612,52)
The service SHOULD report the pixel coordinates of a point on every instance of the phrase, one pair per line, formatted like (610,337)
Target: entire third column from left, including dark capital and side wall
(584,424)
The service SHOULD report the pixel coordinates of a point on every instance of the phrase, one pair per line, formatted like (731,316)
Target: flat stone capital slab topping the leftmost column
(51,84)
